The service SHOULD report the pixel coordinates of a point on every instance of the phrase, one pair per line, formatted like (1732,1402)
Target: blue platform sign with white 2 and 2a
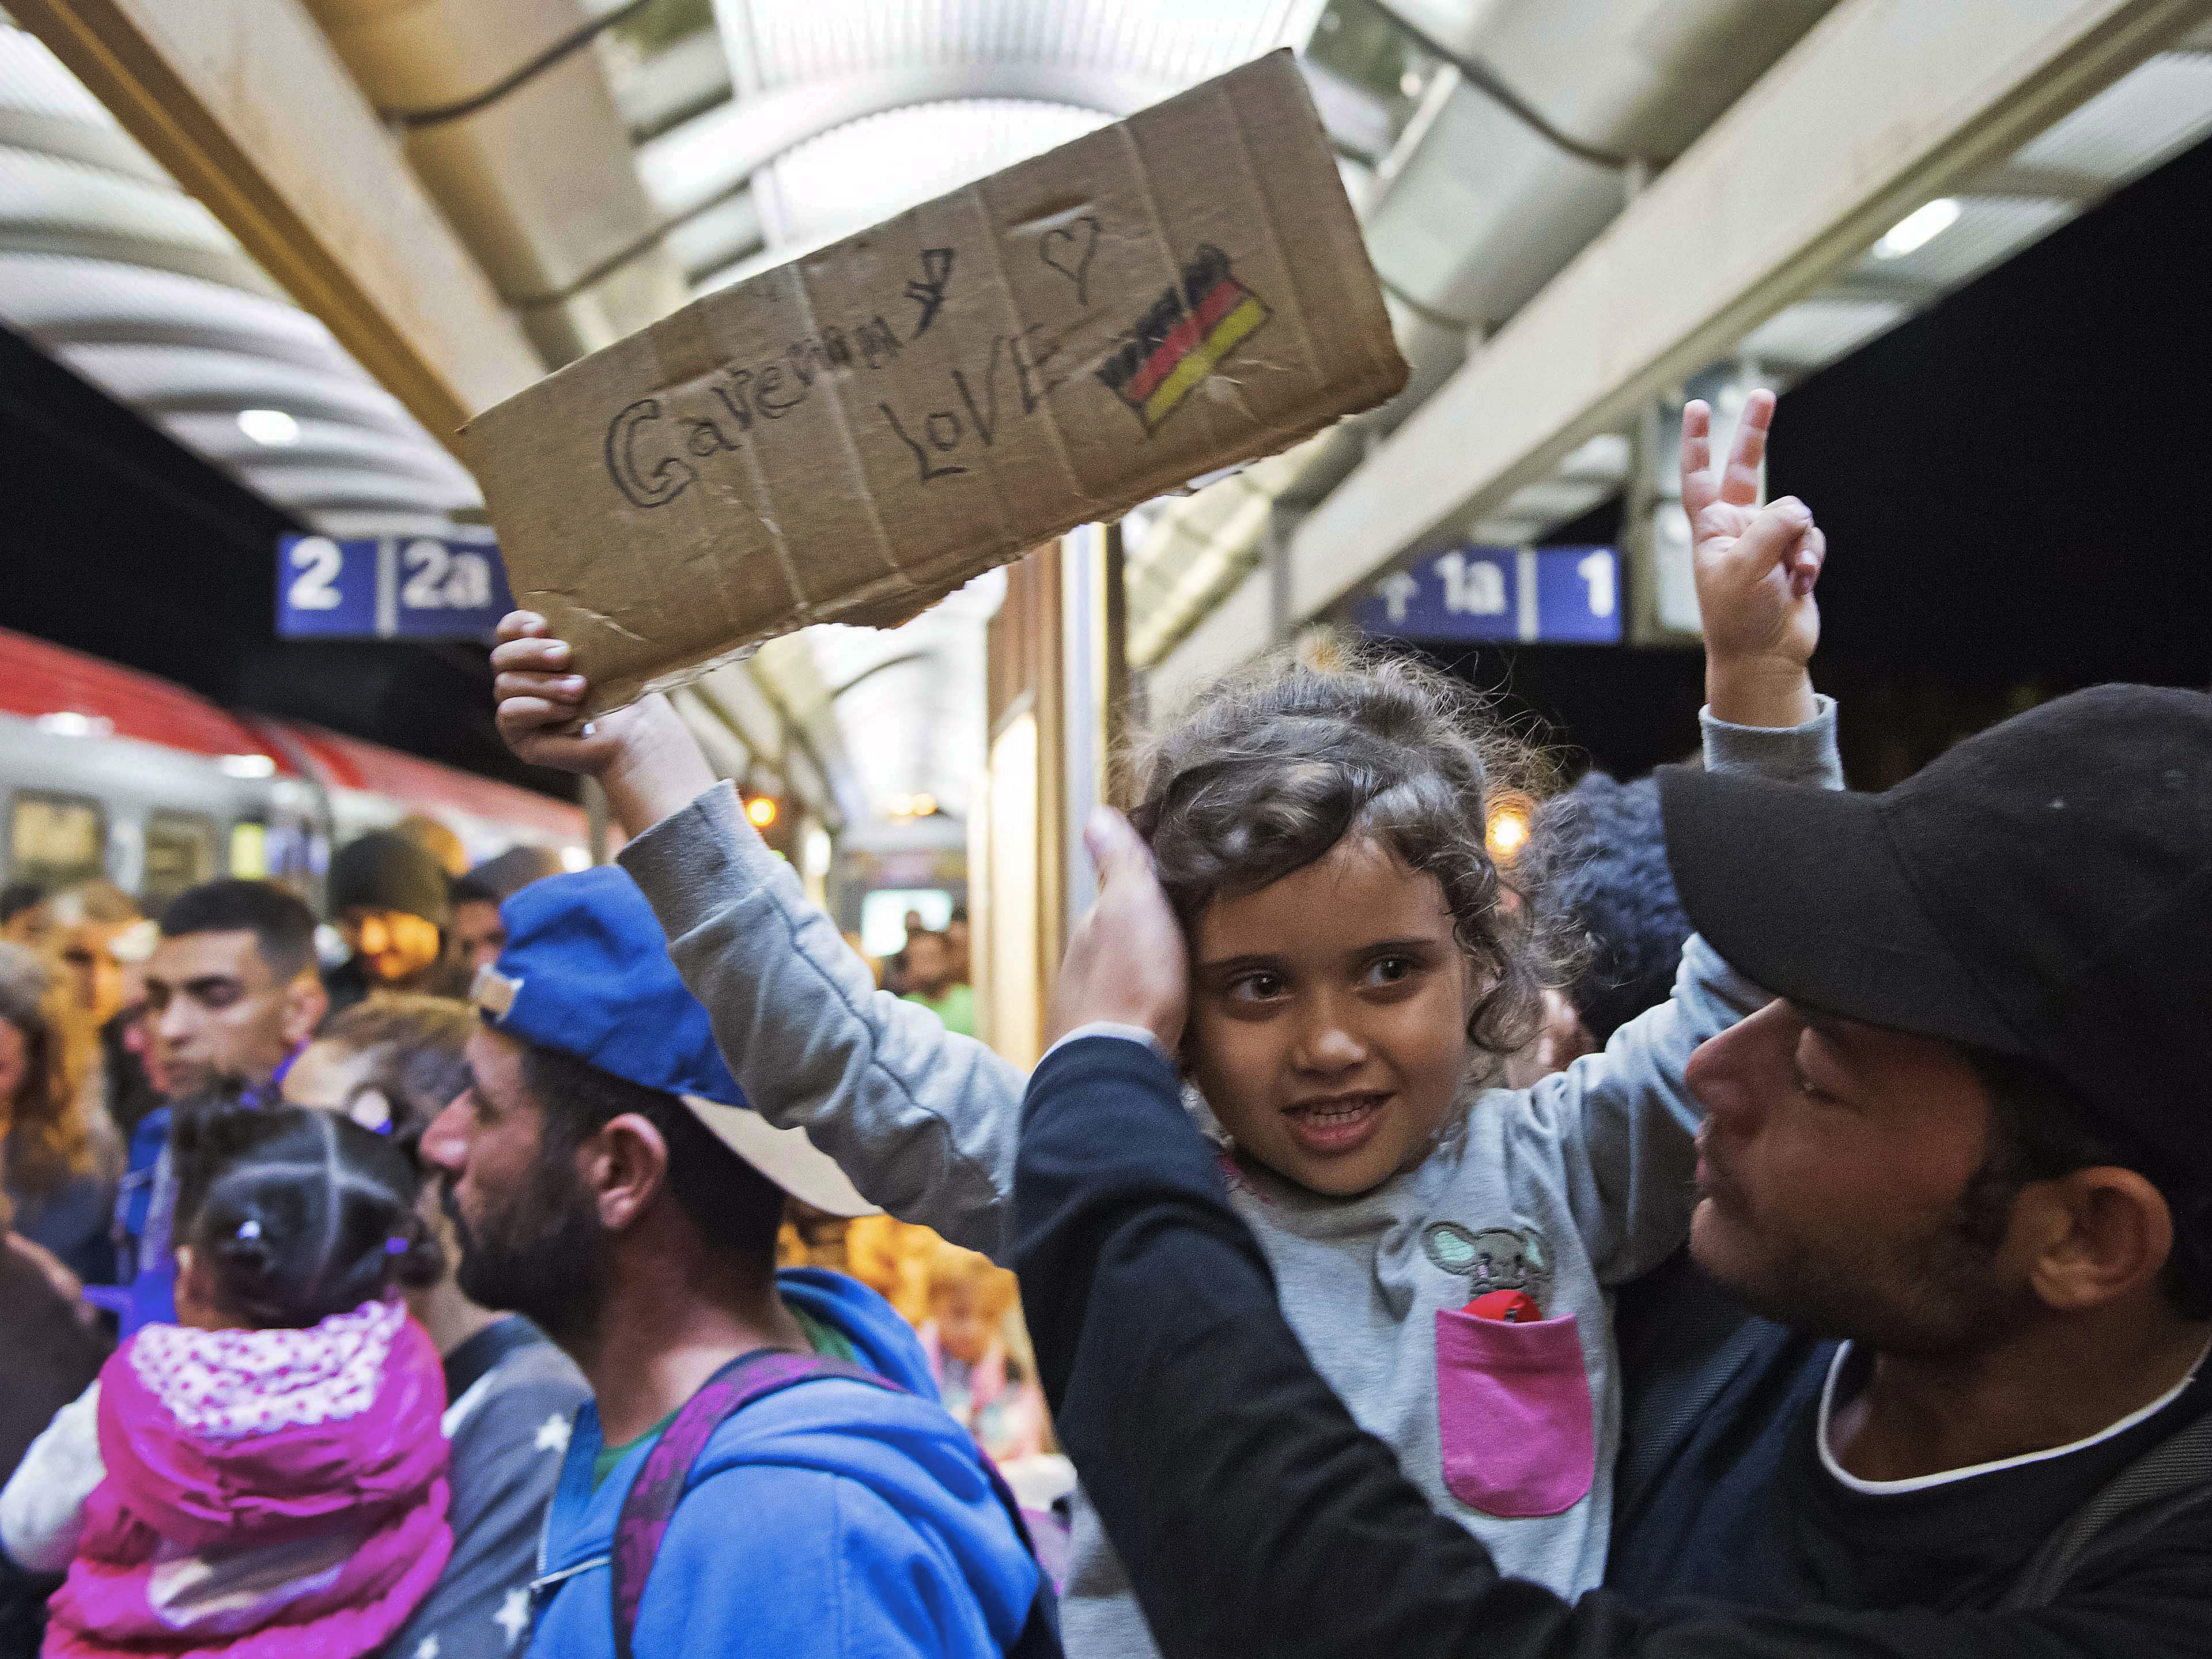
(399,587)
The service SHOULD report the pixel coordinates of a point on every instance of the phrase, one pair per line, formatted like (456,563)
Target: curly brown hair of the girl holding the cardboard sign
(1273,766)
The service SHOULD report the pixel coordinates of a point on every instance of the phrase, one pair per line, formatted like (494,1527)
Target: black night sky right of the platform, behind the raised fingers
(2014,494)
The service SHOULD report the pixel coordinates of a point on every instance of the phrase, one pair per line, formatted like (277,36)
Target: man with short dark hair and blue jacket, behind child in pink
(233,994)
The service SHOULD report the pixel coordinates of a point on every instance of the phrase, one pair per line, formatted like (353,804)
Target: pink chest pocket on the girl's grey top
(1516,1415)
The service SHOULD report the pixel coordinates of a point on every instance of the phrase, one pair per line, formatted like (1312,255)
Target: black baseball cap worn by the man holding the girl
(2043,890)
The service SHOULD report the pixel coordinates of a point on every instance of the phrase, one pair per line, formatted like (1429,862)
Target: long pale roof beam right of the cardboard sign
(1881,107)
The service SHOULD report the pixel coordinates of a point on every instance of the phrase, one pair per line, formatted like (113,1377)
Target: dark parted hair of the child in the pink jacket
(298,1213)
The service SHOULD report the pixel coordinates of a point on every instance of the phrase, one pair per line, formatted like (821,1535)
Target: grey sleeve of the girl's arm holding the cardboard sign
(924,1120)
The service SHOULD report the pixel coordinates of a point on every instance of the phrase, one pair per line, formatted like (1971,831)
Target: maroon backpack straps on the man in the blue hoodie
(651,1503)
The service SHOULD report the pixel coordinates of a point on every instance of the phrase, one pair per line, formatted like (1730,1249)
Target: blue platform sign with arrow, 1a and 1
(1527,594)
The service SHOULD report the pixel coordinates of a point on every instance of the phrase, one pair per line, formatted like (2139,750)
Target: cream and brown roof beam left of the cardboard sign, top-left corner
(253,114)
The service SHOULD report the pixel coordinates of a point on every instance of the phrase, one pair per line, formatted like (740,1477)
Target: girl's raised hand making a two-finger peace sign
(1755,574)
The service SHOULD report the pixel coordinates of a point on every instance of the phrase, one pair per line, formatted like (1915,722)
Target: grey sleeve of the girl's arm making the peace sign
(1620,1127)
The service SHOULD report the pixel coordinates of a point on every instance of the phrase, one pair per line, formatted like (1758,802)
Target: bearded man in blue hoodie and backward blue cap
(607,1180)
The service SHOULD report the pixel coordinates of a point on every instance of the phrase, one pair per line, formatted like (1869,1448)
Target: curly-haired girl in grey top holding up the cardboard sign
(1446,1253)
